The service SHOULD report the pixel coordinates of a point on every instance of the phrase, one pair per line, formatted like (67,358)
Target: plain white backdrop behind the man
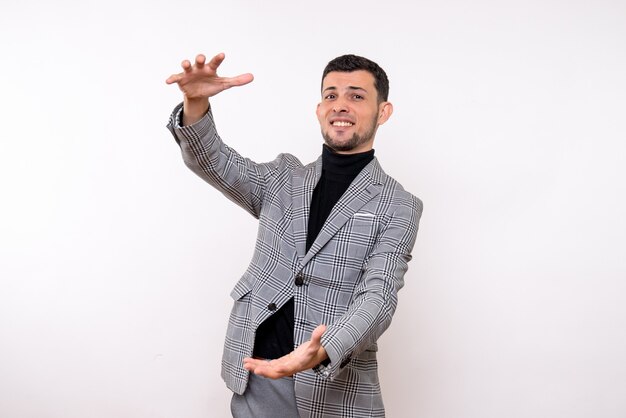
(116,262)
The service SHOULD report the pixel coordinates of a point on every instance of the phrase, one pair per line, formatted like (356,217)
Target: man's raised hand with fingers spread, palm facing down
(200,81)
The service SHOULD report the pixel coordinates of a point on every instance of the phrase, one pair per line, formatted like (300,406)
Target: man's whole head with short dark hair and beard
(354,103)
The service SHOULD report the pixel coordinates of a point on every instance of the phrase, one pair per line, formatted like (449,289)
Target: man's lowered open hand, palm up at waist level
(304,357)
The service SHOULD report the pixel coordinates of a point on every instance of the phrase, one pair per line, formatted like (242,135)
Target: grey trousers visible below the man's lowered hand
(266,398)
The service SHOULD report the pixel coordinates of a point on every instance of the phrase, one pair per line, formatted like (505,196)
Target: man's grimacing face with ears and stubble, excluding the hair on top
(349,113)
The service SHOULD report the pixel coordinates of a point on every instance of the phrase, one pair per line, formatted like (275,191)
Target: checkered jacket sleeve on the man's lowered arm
(376,297)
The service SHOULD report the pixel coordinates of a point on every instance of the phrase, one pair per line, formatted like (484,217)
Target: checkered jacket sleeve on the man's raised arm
(240,179)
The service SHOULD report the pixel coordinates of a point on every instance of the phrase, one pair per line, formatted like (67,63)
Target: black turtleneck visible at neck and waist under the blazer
(274,337)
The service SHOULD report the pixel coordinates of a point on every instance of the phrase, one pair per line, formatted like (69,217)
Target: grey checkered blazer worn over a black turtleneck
(348,279)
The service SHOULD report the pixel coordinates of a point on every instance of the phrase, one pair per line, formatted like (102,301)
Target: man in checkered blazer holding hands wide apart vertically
(334,241)
